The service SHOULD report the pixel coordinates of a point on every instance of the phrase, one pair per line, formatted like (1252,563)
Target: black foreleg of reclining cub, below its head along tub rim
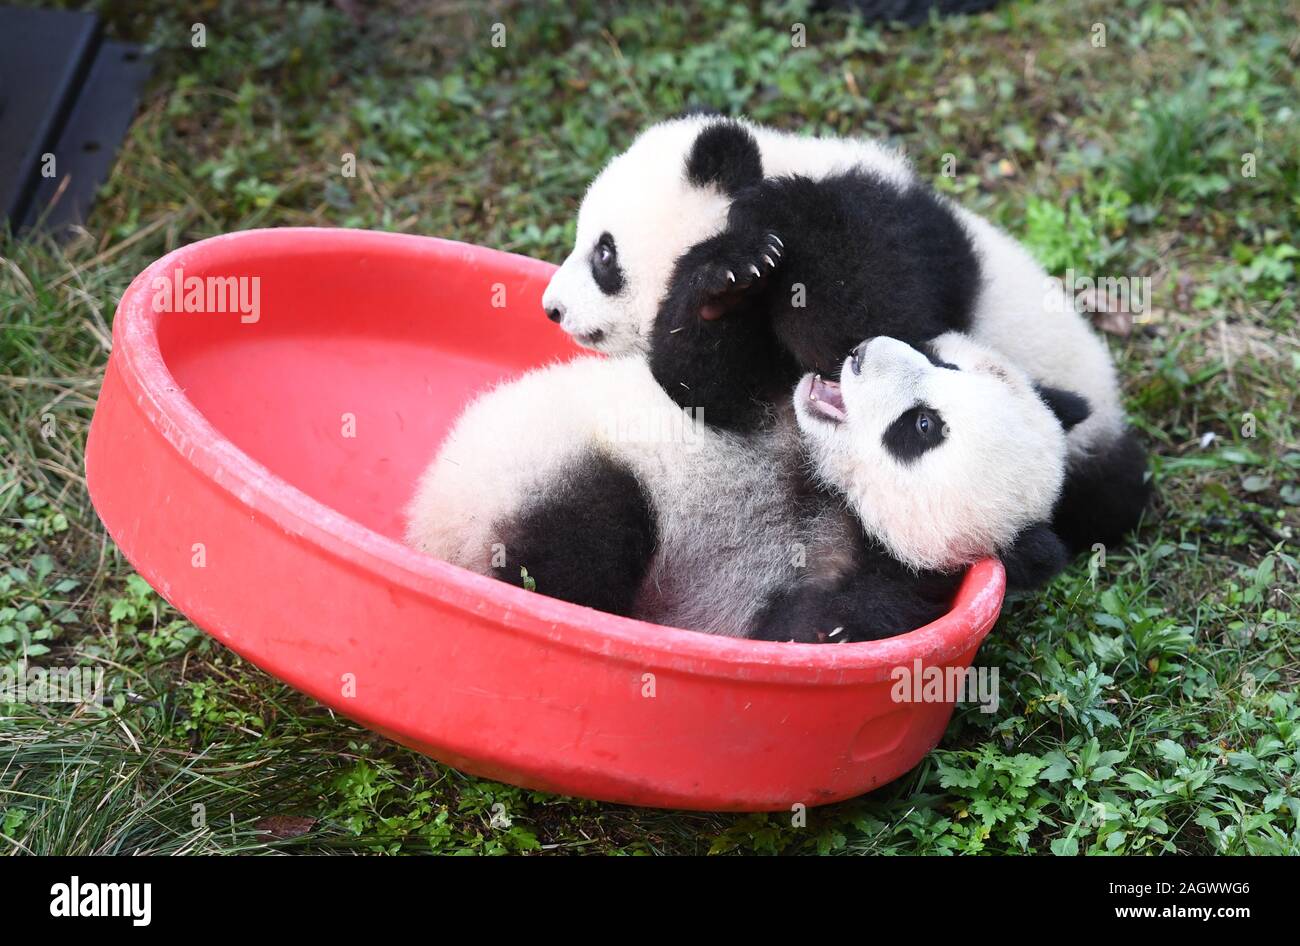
(878,598)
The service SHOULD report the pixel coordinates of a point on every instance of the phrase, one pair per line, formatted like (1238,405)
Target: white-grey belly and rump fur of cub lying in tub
(727,528)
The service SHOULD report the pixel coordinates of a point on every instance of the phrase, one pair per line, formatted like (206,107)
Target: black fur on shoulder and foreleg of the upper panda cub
(839,261)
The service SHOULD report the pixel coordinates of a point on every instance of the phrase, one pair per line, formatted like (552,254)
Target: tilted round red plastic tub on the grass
(253,466)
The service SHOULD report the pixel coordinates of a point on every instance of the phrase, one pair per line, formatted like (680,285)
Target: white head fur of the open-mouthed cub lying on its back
(998,470)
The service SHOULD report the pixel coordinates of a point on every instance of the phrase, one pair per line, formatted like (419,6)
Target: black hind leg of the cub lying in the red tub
(587,540)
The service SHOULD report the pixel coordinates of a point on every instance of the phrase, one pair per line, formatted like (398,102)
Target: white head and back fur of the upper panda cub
(643,199)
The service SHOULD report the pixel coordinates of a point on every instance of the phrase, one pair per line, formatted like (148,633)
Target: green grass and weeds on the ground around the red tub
(1149,700)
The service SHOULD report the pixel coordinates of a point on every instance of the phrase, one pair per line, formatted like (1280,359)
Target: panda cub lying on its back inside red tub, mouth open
(848,515)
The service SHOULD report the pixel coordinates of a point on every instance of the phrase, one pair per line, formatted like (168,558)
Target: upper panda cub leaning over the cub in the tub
(738,258)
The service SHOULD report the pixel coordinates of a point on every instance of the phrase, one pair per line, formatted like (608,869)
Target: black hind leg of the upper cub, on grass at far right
(1104,496)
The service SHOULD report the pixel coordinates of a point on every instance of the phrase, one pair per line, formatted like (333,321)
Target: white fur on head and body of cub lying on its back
(729,530)
